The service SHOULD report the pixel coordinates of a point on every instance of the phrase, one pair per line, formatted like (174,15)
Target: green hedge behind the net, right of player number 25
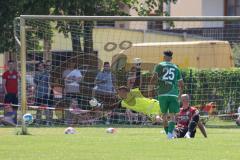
(218,85)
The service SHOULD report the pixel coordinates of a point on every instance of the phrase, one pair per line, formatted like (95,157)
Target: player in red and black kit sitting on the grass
(188,120)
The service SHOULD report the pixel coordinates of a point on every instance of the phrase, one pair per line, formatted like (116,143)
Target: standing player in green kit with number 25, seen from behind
(169,80)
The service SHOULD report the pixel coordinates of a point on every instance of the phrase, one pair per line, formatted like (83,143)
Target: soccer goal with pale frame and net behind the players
(72,66)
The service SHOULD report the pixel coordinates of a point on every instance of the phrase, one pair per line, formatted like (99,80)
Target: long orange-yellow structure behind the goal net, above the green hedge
(199,54)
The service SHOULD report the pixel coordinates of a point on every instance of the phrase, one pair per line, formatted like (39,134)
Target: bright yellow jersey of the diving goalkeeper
(137,102)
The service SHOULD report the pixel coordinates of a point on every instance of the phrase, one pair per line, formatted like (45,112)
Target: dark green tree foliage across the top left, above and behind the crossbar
(11,9)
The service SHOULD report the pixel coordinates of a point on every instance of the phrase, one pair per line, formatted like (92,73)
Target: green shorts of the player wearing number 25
(169,104)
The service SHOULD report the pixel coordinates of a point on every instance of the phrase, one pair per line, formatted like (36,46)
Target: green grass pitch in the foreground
(93,143)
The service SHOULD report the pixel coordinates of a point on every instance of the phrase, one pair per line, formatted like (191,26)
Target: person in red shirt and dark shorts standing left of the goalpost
(10,85)
